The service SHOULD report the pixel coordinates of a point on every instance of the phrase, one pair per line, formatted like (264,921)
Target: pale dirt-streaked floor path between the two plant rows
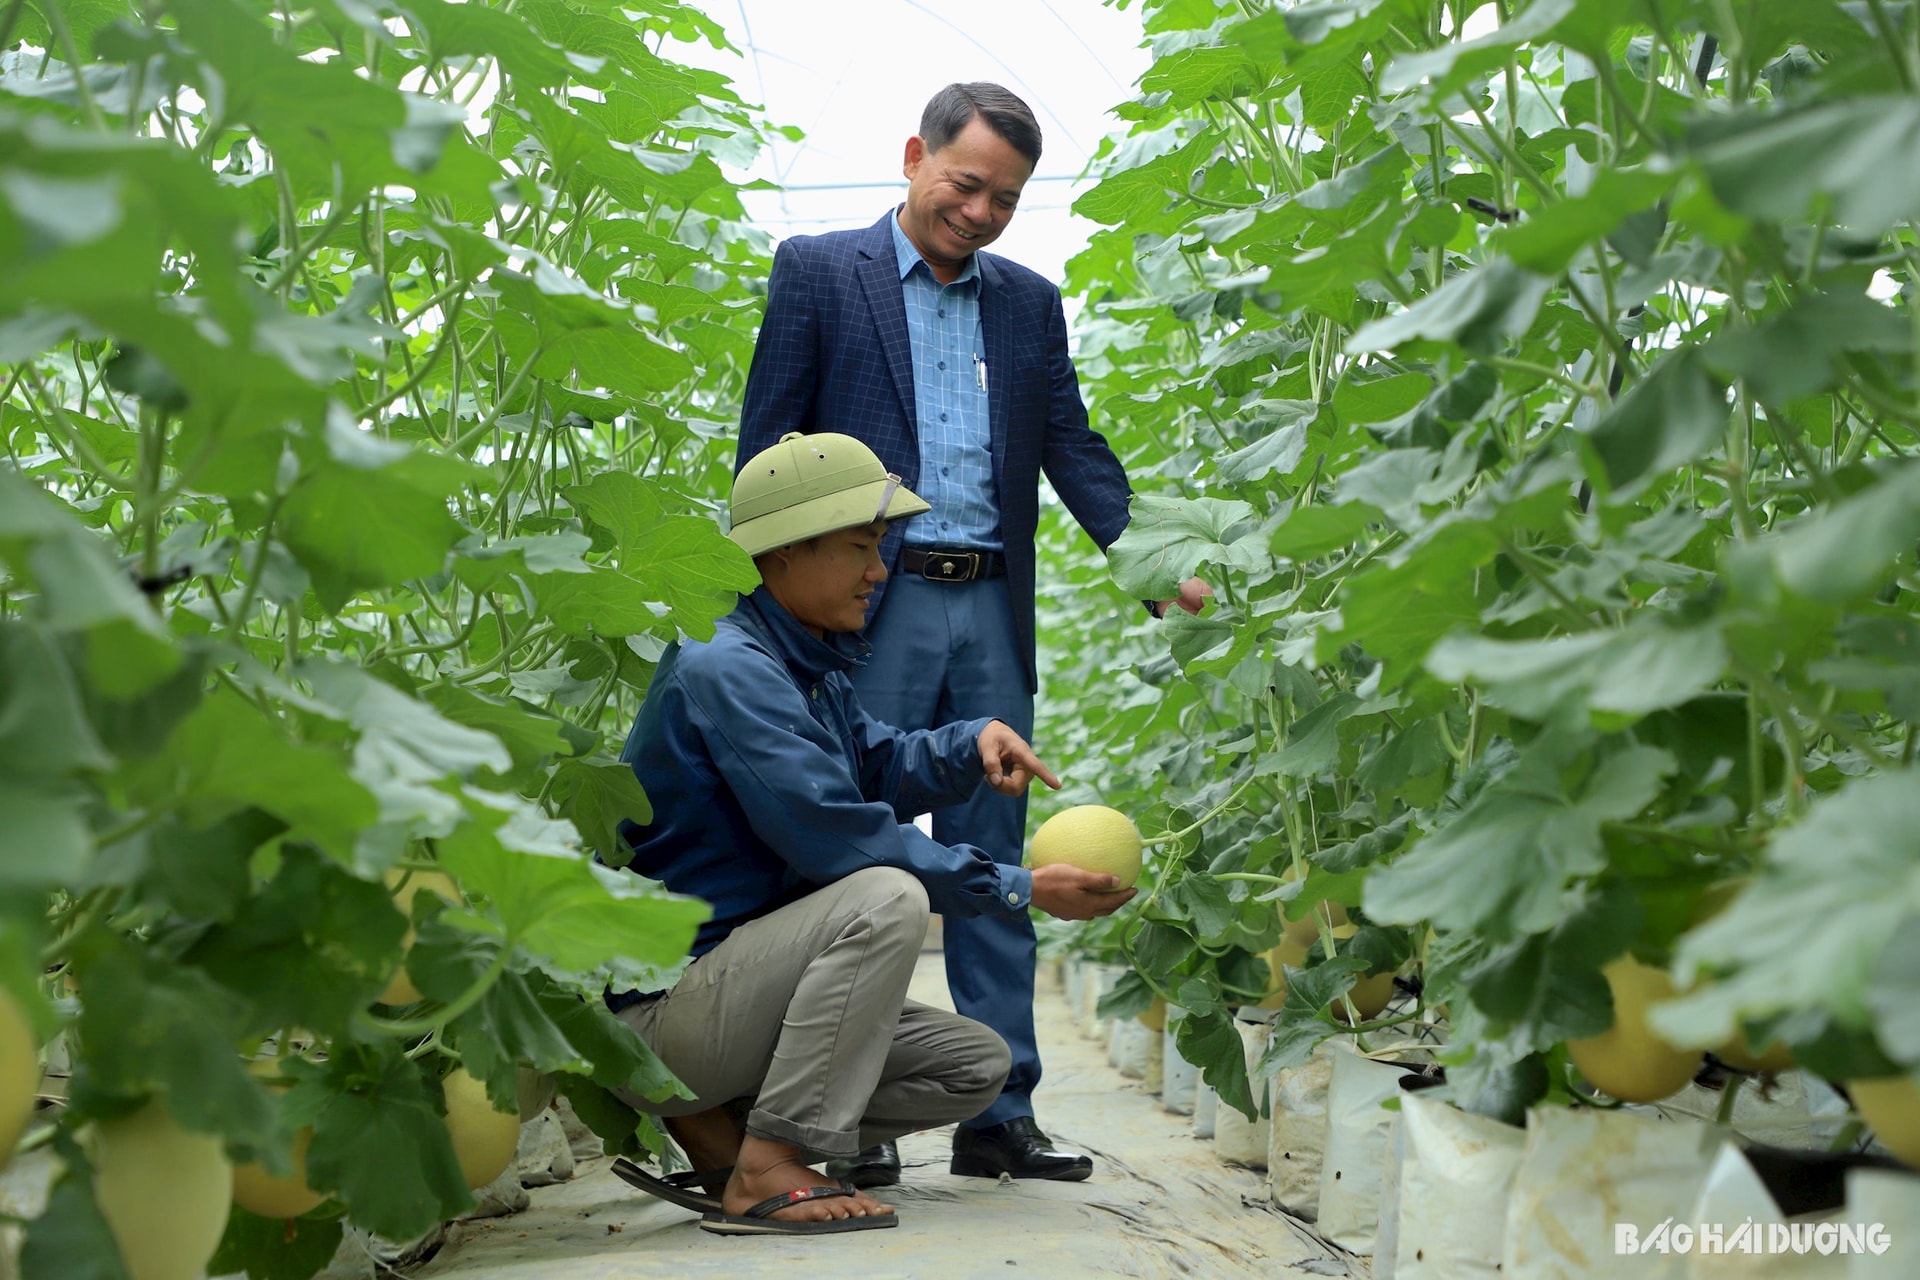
(1159,1204)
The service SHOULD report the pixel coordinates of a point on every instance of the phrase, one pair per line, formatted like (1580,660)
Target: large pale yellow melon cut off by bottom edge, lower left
(164,1193)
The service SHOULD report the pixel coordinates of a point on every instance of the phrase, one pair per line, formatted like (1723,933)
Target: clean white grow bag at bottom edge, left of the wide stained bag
(1445,1200)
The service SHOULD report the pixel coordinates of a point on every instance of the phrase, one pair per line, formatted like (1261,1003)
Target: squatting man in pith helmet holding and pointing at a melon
(788,809)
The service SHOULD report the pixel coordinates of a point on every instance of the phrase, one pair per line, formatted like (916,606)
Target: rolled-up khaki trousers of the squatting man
(804,1016)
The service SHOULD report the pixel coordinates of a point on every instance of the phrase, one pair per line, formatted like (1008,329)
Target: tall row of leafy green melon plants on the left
(364,373)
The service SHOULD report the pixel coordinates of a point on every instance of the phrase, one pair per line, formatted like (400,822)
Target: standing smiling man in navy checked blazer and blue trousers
(953,367)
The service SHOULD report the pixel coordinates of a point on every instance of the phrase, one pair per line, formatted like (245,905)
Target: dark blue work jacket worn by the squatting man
(767,778)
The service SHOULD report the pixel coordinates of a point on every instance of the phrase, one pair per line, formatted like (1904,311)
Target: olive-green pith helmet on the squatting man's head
(815,485)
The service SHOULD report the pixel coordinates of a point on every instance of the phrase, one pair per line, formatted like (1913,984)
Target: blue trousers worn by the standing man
(946,652)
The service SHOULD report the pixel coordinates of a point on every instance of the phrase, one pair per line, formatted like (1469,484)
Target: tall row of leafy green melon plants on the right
(1537,389)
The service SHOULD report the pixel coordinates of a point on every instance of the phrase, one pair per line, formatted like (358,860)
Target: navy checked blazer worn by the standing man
(834,358)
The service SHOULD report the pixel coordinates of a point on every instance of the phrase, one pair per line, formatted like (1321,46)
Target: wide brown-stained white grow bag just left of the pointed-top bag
(1589,1172)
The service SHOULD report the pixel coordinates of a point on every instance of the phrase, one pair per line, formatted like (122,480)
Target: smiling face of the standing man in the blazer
(961,197)
